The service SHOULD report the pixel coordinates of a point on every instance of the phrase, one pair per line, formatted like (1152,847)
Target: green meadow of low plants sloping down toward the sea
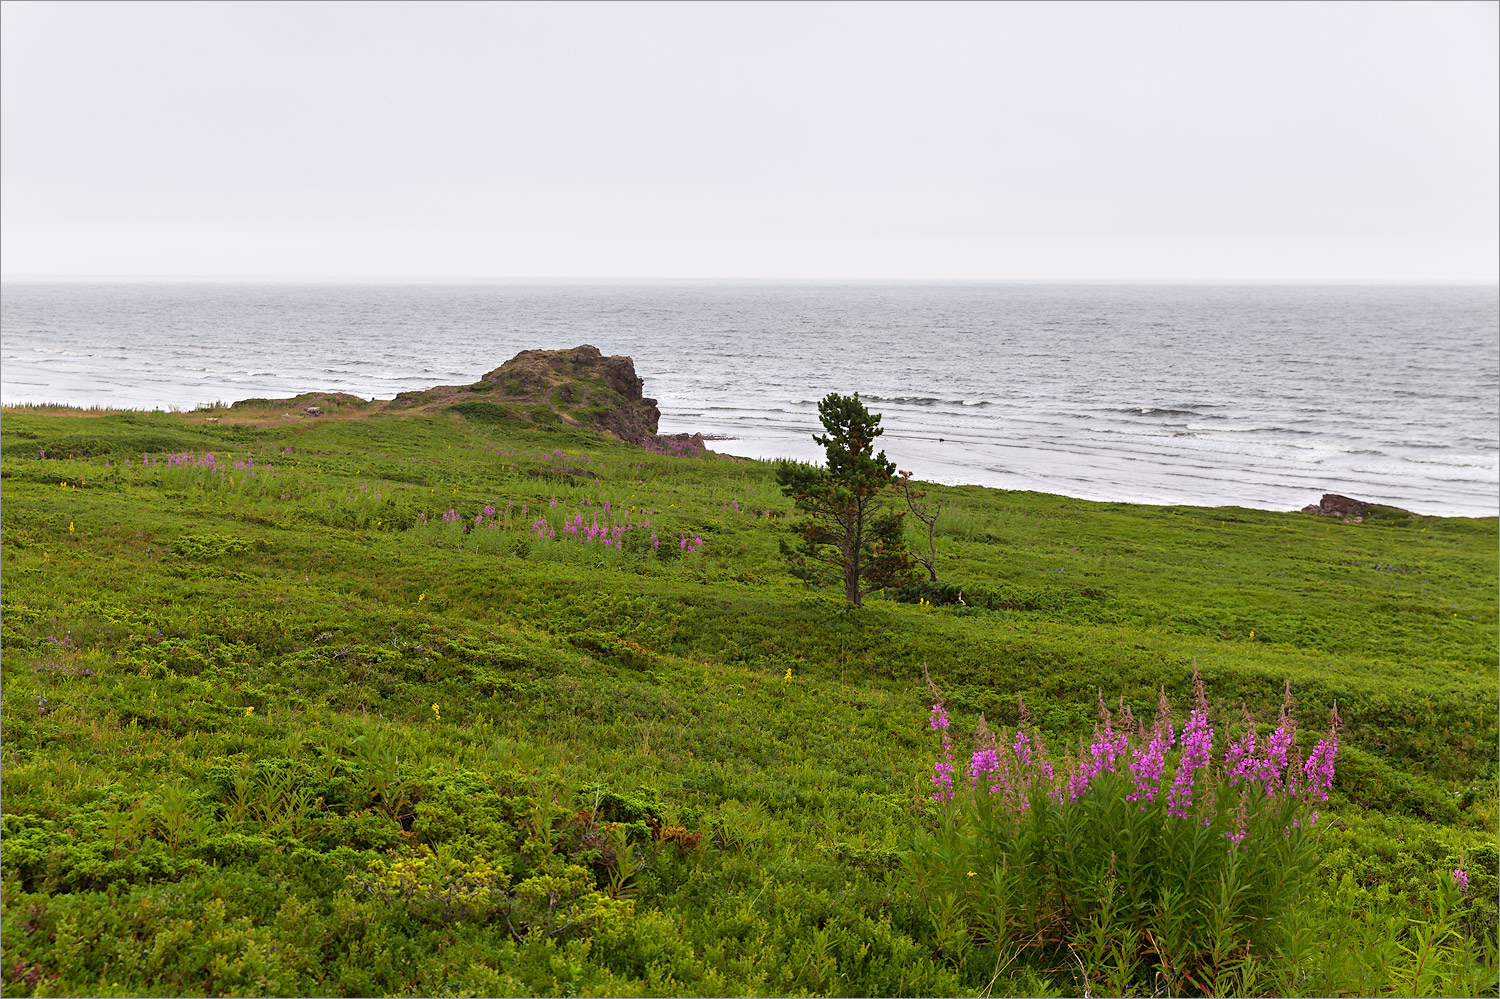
(358,707)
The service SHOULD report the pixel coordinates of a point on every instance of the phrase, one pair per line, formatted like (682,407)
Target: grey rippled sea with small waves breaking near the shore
(1258,397)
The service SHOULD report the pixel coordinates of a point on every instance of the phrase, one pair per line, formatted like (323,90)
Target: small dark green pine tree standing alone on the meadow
(845,527)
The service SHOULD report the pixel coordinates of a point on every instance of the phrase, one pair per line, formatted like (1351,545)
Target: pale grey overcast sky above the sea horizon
(844,142)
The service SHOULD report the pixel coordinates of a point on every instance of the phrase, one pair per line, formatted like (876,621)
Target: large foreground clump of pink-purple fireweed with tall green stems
(1151,856)
